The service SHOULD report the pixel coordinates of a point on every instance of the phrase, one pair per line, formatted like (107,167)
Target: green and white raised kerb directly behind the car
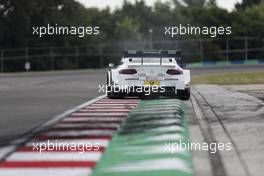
(140,147)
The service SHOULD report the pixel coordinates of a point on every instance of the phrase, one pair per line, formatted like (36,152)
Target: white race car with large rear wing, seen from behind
(143,73)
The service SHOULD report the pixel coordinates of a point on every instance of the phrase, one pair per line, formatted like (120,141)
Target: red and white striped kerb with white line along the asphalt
(25,162)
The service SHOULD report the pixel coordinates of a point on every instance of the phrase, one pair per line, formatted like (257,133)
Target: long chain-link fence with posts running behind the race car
(98,56)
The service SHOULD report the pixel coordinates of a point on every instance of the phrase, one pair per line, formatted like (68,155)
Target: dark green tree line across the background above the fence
(131,22)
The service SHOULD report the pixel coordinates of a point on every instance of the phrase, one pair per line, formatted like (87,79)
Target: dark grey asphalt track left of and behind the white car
(29,99)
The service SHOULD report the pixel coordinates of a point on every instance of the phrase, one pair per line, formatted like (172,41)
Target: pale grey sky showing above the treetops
(228,4)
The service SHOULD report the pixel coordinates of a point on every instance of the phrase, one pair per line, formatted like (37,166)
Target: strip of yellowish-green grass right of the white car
(230,78)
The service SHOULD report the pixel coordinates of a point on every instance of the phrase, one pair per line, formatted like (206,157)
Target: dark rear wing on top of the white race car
(153,53)
